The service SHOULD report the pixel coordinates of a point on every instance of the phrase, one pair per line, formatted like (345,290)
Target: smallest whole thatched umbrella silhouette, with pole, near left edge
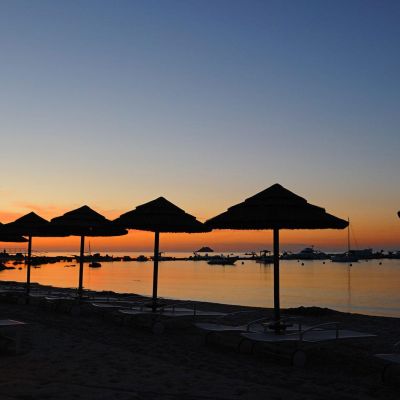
(32,225)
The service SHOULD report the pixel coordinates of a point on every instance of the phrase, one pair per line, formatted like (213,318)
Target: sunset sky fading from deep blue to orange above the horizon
(114,103)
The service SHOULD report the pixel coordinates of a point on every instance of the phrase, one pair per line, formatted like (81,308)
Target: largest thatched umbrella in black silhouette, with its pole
(276,208)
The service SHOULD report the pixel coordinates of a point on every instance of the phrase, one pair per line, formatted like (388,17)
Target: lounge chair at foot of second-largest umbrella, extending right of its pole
(167,312)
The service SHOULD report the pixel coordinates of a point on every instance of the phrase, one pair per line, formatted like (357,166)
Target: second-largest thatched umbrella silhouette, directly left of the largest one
(160,215)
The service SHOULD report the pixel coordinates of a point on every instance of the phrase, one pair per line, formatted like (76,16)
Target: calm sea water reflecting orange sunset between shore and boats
(366,287)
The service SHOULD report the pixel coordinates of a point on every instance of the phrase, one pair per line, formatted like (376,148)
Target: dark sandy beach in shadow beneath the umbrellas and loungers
(89,356)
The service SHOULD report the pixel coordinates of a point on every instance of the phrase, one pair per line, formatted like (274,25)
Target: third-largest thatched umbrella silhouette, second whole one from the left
(86,222)
